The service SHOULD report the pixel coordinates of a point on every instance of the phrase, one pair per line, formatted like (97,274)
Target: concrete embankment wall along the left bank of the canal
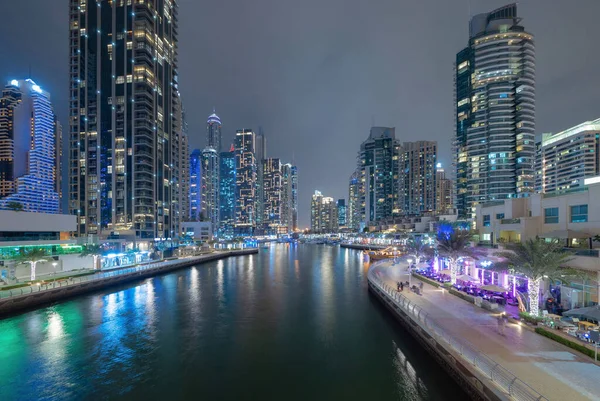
(24,300)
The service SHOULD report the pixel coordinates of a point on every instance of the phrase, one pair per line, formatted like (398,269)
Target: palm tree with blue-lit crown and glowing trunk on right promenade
(453,243)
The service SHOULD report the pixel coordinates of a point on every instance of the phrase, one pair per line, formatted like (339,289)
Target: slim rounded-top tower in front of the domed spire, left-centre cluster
(210,186)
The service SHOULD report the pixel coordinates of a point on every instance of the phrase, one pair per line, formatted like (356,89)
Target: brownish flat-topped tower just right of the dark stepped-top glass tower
(417,177)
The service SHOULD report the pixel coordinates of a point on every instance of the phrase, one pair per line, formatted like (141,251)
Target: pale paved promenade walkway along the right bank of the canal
(550,368)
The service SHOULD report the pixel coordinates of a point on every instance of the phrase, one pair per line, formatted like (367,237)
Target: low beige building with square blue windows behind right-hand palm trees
(570,216)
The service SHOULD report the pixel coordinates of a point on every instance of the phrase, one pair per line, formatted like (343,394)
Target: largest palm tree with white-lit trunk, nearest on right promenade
(536,259)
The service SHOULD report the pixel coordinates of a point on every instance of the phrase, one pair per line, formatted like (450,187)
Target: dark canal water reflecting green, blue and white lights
(290,323)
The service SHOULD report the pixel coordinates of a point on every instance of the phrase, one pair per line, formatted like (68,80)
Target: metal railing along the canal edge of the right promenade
(509,383)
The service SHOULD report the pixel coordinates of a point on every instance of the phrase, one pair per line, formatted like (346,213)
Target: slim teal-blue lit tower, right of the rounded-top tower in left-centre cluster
(227,193)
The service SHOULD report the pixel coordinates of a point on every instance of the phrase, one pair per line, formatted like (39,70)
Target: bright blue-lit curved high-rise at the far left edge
(30,142)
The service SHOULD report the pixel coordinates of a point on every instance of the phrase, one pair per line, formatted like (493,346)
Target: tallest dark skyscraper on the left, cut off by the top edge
(125,118)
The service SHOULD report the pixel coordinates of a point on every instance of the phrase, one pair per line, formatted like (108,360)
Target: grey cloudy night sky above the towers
(316,73)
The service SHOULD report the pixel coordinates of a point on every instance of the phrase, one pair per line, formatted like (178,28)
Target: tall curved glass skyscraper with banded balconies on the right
(495,111)
